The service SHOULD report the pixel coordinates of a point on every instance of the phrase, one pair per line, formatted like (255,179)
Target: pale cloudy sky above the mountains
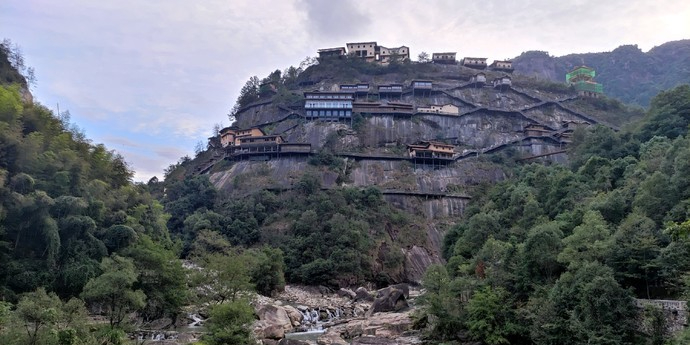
(150,79)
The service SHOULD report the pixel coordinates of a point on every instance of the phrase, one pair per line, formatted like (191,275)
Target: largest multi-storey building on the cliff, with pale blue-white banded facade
(328,106)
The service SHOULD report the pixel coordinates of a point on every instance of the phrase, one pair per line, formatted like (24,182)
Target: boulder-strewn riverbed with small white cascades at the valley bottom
(307,315)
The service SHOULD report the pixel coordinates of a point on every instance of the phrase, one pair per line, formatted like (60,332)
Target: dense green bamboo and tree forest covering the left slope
(79,238)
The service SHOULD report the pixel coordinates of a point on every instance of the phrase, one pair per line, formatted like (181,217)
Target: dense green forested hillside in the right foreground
(556,254)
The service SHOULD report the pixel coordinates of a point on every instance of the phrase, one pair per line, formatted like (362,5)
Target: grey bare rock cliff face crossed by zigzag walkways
(372,149)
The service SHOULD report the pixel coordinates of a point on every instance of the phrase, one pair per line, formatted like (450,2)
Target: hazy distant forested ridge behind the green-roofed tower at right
(627,73)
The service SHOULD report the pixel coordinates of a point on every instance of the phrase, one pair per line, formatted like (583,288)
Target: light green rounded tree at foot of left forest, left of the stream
(113,289)
